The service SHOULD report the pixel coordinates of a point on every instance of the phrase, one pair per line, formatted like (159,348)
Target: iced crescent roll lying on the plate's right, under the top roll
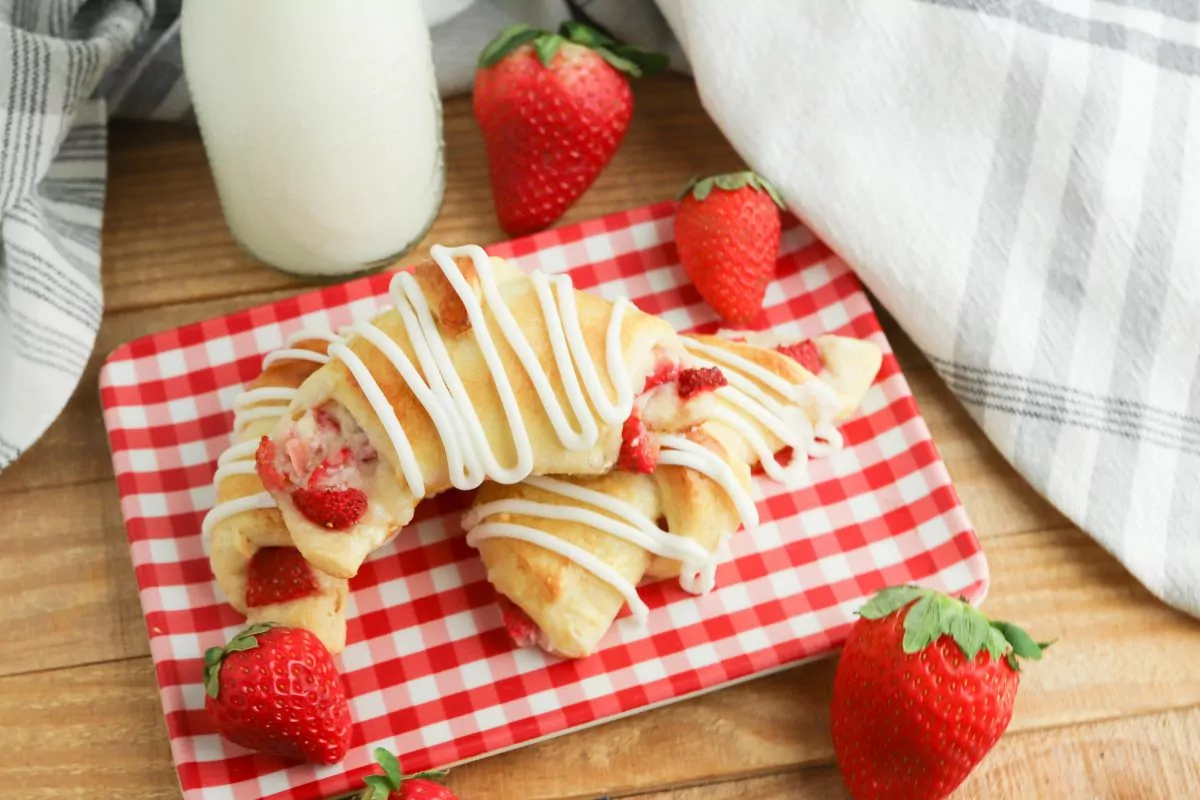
(567,554)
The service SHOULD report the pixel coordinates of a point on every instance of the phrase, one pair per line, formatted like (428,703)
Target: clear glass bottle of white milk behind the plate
(322,124)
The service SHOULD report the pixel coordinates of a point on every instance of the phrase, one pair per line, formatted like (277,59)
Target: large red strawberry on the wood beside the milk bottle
(554,109)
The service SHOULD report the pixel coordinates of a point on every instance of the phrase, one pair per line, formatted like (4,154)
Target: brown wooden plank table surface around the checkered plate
(1114,711)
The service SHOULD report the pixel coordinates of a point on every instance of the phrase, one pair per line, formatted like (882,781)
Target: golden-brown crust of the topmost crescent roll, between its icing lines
(645,339)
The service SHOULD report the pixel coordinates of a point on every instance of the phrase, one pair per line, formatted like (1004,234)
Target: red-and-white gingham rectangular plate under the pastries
(430,672)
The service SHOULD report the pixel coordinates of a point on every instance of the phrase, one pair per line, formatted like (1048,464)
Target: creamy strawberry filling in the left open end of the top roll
(321,464)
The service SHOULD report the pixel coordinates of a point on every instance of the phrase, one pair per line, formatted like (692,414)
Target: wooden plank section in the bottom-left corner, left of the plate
(91,732)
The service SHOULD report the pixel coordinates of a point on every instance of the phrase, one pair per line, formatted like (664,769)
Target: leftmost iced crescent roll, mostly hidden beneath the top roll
(250,549)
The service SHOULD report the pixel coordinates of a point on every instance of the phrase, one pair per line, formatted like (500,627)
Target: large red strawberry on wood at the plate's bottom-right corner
(923,691)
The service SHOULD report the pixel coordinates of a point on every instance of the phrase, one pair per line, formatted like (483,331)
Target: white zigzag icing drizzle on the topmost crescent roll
(442,392)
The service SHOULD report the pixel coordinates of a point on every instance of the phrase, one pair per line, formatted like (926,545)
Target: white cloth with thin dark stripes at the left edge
(53,56)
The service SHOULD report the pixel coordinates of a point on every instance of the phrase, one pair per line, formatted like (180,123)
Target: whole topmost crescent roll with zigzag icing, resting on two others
(478,372)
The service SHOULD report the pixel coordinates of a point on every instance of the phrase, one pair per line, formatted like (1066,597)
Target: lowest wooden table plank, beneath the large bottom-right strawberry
(1149,757)
